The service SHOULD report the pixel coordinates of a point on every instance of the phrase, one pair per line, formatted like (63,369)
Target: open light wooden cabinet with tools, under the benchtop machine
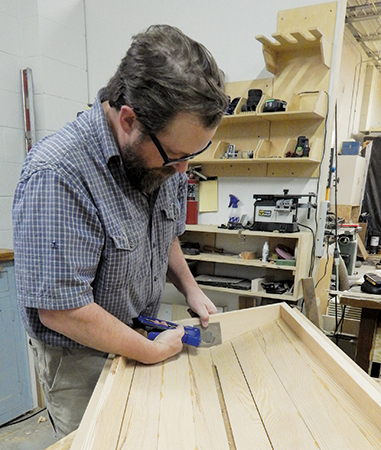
(229,263)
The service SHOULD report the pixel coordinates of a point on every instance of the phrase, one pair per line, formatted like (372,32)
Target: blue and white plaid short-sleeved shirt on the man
(82,233)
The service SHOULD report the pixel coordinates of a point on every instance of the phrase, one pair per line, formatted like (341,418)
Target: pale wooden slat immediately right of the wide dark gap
(246,424)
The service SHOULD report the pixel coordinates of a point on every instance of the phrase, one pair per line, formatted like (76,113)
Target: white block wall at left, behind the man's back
(48,37)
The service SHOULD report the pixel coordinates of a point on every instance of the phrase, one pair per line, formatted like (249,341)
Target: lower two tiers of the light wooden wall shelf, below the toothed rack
(270,137)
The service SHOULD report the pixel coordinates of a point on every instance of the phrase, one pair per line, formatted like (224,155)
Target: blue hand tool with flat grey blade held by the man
(196,336)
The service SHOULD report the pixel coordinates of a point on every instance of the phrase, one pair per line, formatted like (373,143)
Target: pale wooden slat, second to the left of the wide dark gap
(176,425)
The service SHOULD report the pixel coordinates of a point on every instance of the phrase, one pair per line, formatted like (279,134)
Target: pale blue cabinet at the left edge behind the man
(15,382)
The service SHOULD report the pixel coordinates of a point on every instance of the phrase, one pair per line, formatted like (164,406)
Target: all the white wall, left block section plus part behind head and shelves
(74,46)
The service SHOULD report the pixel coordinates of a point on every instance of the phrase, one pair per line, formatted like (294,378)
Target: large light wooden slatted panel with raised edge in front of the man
(276,382)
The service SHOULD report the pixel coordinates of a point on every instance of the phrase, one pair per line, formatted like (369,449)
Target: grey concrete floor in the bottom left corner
(34,433)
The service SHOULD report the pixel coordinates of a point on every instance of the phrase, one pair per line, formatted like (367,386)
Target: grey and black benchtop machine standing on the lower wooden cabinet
(279,212)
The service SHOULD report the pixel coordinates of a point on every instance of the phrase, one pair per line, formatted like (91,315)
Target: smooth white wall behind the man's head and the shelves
(227,29)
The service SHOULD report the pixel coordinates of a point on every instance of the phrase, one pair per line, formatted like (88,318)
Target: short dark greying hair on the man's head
(164,73)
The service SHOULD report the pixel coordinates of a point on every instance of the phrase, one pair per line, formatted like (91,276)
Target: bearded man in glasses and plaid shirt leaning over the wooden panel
(97,214)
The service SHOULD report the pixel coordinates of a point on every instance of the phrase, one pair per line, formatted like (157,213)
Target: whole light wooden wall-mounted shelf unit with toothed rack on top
(300,61)
